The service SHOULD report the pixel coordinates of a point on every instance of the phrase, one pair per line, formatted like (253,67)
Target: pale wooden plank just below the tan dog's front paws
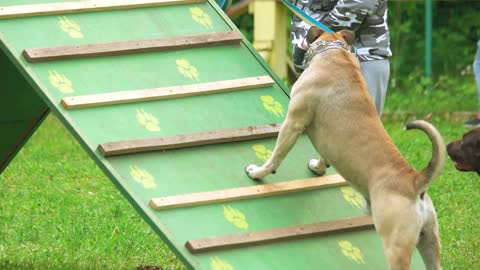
(242,193)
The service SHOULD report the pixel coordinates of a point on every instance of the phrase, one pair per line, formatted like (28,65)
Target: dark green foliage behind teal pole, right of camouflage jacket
(456,29)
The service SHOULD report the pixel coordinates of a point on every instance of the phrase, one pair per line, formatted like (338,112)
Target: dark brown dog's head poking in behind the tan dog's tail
(466,152)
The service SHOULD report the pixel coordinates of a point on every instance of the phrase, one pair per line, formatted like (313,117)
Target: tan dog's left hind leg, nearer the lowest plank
(398,223)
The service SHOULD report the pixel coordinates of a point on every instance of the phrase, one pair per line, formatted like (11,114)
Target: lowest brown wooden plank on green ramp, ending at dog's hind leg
(279,234)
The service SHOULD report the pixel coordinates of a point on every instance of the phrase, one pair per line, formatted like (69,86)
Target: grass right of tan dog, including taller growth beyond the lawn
(456,195)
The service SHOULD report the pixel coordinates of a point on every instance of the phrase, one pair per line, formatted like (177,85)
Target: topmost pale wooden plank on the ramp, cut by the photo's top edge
(83,6)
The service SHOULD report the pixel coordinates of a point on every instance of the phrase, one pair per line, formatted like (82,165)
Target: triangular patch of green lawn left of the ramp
(58,211)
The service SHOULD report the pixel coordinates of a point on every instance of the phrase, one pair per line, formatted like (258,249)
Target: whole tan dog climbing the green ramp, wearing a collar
(331,103)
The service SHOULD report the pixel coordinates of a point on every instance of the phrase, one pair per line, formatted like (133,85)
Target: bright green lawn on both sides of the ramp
(58,211)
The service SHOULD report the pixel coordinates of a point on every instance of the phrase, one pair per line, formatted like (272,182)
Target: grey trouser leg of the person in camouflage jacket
(376,74)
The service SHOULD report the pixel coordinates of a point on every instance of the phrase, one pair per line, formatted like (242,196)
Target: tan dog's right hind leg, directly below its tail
(429,242)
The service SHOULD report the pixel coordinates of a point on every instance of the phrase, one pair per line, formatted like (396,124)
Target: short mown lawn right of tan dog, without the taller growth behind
(455,195)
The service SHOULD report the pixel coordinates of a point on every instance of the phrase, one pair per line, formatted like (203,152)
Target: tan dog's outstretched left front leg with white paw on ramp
(298,117)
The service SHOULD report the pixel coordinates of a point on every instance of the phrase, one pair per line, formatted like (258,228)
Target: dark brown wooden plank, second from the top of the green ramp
(34,55)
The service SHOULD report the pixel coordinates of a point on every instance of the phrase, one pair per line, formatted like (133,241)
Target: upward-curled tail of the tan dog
(438,153)
